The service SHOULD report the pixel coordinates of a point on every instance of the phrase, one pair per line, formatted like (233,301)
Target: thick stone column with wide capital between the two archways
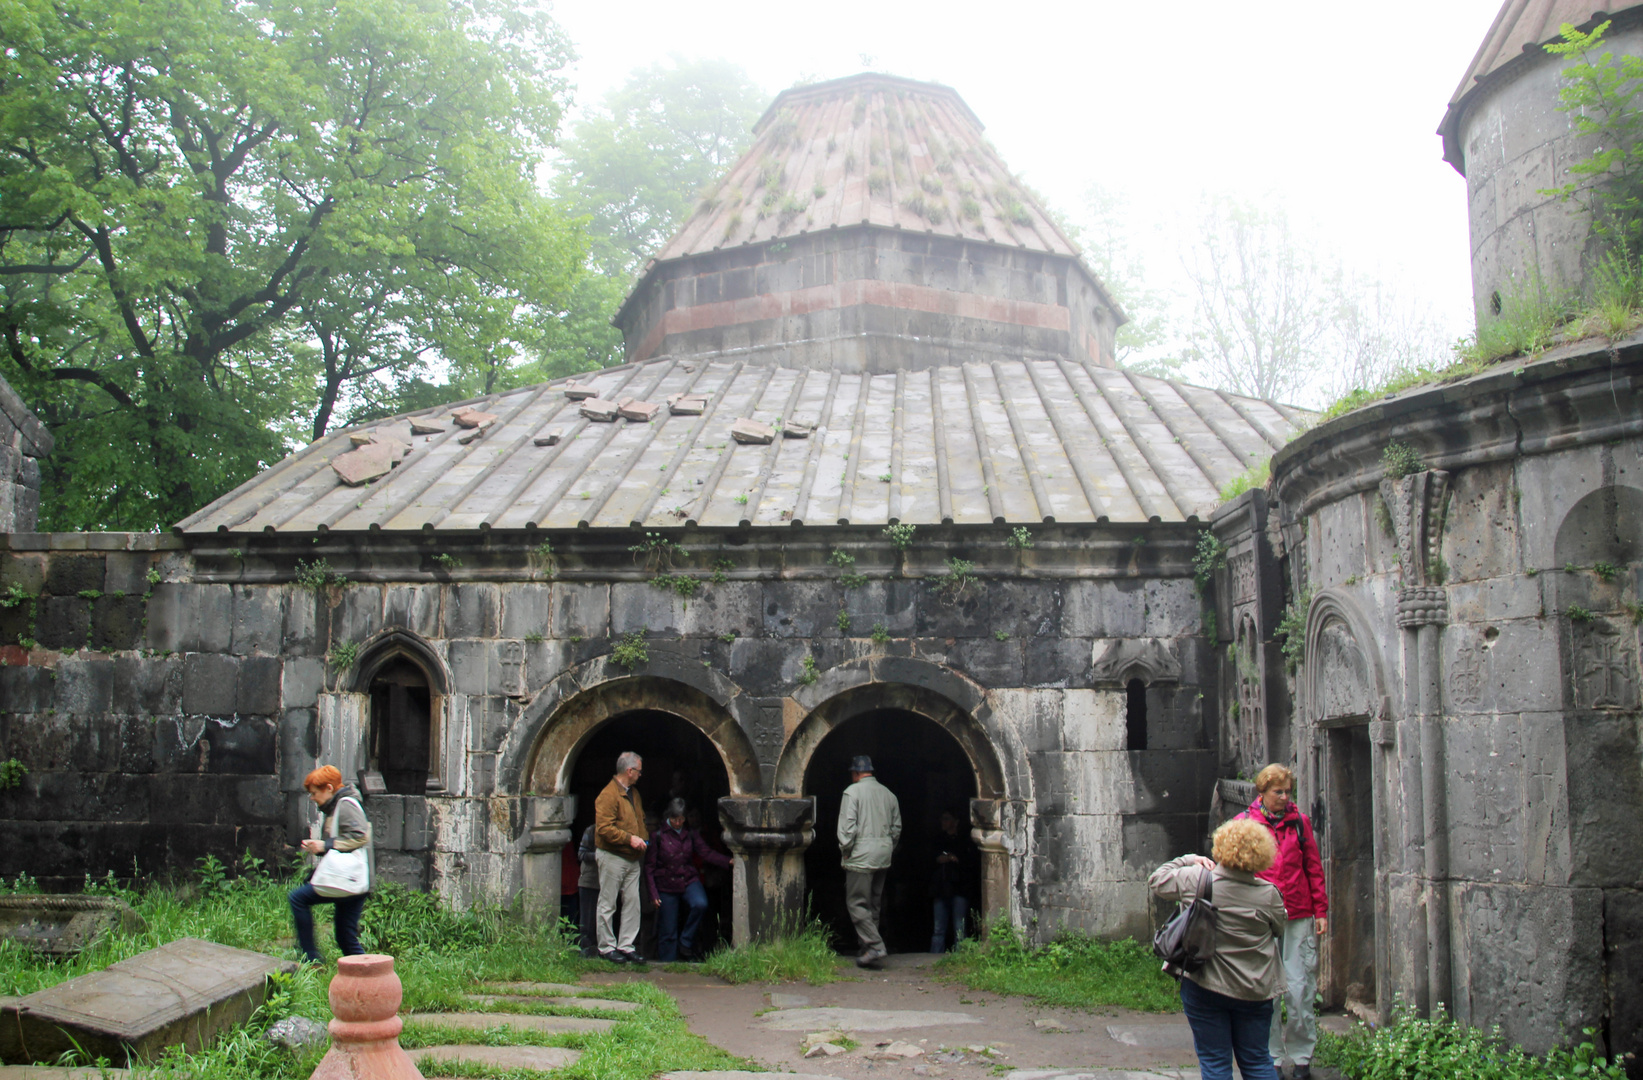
(770,839)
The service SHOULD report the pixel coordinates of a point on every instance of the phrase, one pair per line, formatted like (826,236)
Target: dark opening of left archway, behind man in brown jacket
(679,762)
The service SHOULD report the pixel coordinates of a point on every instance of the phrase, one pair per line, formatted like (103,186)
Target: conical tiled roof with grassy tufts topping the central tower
(868,150)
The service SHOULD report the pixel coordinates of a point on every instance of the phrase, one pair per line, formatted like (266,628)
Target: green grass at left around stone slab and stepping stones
(440,956)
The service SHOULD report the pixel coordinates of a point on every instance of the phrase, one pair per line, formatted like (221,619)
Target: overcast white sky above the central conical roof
(1328,108)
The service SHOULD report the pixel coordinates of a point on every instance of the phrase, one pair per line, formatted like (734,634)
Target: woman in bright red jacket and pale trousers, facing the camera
(1299,875)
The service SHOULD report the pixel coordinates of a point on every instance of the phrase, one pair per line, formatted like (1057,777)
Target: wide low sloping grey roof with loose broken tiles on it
(982,443)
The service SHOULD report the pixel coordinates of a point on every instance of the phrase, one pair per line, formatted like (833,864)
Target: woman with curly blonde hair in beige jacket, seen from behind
(1228,1002)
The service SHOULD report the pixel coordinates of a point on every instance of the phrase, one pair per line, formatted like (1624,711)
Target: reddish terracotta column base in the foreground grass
(366,1033)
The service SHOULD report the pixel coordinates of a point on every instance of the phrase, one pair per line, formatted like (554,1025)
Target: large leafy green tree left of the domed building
(219,216)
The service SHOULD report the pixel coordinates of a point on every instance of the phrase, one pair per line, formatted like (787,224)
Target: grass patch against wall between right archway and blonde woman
(1072,972)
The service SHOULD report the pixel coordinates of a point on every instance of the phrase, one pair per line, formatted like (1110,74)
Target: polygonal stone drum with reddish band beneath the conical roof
(870,300)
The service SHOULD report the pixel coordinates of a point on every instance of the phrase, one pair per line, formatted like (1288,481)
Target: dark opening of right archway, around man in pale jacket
(929,773)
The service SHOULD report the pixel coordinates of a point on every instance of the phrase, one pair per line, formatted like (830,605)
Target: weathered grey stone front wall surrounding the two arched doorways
(160,721)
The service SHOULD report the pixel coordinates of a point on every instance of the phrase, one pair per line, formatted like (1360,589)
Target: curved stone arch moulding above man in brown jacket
(569,709)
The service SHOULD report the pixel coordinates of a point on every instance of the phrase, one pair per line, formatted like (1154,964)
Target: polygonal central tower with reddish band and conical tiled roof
(870,228)
